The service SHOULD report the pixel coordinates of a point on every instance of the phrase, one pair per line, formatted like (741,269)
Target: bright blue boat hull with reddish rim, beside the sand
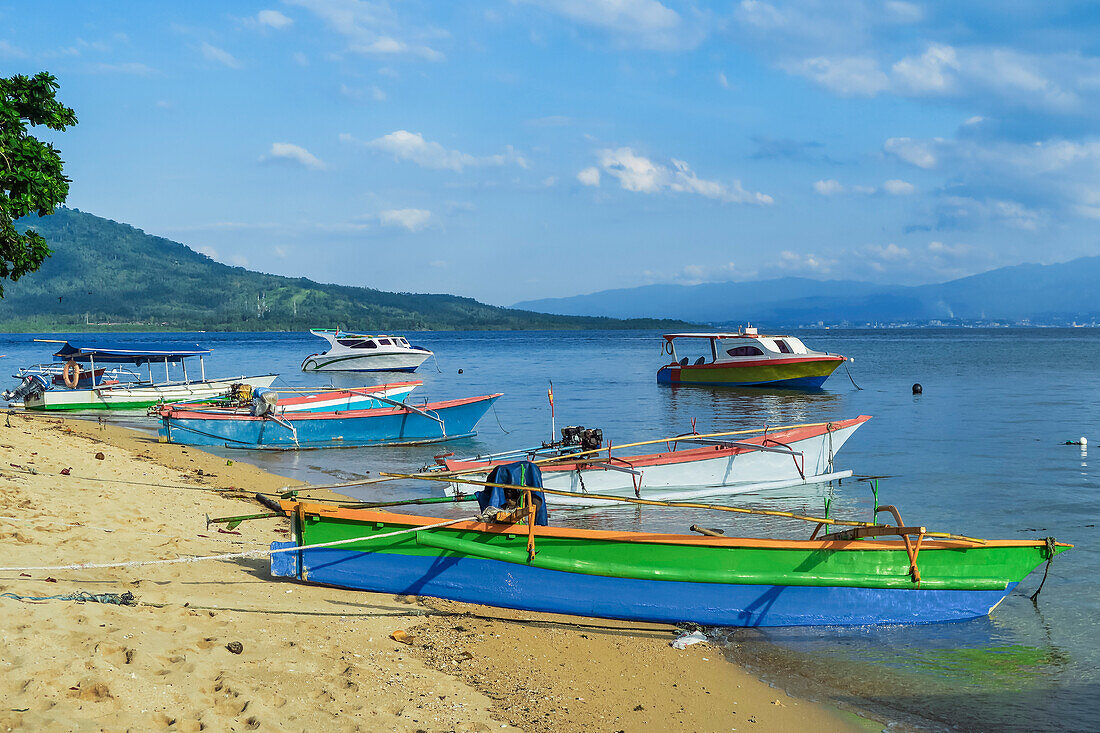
(311,430)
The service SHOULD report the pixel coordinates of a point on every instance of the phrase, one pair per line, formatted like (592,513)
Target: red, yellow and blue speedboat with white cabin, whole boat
(747,359)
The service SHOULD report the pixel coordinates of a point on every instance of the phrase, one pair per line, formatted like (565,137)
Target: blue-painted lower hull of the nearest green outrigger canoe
(513,586)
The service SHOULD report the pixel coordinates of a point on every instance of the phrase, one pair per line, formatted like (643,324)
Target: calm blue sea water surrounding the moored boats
(981,453)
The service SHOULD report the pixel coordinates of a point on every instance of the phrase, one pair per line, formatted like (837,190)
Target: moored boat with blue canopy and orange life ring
(104,376)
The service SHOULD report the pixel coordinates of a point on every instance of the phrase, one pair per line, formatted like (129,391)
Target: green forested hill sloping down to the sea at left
(105,275)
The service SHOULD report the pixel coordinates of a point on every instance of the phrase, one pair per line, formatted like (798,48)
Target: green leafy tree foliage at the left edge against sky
(31,178)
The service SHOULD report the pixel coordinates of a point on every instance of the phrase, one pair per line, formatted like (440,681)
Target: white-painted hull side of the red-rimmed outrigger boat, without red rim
(740,473)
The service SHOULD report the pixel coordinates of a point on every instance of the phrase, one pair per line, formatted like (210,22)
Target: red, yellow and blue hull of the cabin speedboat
(798,373)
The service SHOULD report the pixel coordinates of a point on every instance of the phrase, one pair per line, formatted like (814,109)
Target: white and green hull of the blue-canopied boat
(124,398)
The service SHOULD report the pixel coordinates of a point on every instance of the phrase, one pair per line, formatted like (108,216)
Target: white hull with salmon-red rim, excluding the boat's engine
(705,472)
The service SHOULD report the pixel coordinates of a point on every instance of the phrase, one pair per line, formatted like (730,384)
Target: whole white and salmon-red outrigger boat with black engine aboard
(692,465)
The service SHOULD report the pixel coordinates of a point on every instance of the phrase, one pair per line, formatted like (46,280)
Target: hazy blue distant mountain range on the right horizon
(1058,293)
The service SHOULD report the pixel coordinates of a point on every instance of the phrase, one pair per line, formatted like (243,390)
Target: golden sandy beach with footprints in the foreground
(218,646)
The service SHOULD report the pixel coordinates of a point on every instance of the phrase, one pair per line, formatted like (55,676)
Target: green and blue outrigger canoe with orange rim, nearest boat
(657,577)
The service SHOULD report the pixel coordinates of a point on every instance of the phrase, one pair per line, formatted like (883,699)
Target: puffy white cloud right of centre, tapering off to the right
(640,174)
